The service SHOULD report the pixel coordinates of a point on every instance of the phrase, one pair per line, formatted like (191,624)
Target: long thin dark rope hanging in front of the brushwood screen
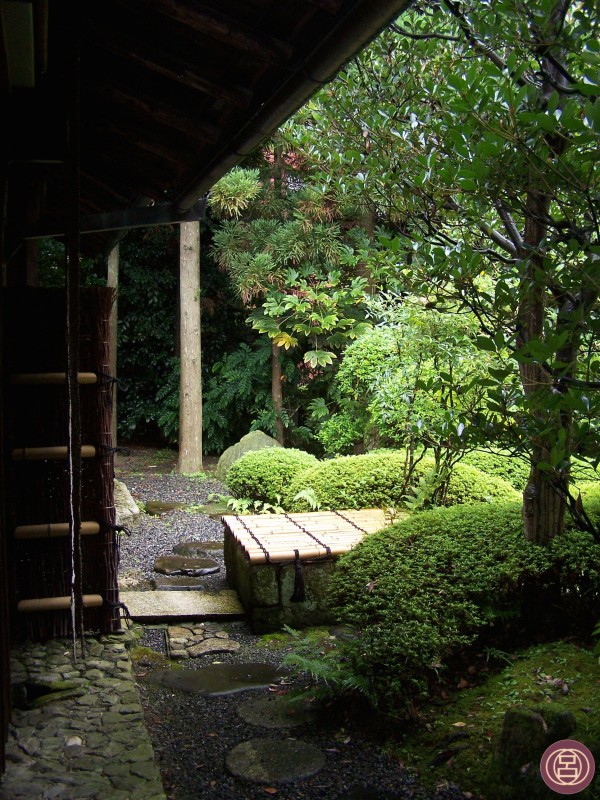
(72,283)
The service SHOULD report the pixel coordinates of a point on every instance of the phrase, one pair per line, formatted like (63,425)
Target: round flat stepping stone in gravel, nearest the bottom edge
(274,760)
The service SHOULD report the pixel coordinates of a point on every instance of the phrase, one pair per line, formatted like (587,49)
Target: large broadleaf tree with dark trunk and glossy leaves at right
(471,129)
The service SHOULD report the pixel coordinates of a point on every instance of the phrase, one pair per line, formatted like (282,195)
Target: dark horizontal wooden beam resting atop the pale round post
(148,216)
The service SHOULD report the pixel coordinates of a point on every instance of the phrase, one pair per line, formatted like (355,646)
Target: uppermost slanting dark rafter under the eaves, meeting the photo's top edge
(230,32)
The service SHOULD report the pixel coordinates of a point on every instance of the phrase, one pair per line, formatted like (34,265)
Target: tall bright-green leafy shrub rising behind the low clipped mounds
(412,383)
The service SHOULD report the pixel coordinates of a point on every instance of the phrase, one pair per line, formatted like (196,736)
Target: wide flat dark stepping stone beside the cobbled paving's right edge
(218,679)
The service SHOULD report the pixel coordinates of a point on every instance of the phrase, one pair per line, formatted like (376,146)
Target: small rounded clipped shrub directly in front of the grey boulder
(266,474)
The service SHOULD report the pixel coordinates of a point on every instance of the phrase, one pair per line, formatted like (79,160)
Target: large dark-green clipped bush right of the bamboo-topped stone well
(439,579)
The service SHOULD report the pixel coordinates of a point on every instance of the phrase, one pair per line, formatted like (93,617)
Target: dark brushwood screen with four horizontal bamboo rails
(36,470)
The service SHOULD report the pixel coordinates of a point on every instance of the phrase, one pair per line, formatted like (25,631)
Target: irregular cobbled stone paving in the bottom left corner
(78,728)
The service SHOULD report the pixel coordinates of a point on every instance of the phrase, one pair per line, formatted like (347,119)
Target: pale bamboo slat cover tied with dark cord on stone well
(269,538)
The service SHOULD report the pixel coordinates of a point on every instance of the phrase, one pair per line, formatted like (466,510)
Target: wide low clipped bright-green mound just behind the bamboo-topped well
(377,480)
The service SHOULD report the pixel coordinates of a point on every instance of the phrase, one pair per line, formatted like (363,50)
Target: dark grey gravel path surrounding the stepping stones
(192,734)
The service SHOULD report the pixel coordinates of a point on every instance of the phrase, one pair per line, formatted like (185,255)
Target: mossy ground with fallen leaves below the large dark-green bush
(455,738)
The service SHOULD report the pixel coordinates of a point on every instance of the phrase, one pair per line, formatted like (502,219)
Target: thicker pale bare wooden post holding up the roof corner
(190,397)
